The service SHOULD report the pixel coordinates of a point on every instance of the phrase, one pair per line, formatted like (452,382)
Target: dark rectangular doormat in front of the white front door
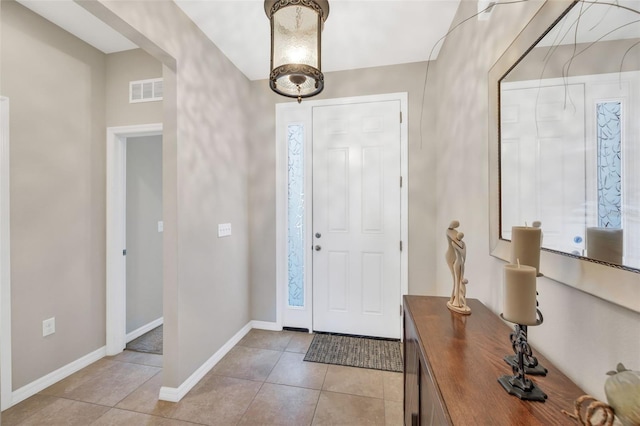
(364,352)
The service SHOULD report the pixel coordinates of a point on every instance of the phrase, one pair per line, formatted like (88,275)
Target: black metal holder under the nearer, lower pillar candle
(518,384)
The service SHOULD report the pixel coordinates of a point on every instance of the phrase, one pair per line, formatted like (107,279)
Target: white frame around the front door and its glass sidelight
(305,109)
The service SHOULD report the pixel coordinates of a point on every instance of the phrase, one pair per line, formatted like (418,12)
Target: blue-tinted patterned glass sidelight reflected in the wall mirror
(609,165)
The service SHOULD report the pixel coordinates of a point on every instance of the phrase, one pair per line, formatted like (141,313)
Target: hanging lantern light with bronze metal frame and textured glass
(296,29)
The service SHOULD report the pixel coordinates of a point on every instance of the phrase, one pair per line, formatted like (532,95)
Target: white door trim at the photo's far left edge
(6,391)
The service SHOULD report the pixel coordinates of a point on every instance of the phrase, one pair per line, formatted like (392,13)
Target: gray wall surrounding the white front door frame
(389,79)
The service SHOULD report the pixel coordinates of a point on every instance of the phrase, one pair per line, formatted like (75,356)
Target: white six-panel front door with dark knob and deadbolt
(356,219)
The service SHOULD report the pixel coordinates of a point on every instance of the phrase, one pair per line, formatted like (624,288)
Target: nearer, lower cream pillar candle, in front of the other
(520,294)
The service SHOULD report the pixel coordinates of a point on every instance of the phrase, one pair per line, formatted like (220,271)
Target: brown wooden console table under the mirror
(452,365)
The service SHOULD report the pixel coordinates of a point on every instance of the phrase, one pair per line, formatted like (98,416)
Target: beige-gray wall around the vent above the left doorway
(121,68)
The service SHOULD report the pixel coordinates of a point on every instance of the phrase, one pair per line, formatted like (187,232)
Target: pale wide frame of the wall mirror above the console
(614,283)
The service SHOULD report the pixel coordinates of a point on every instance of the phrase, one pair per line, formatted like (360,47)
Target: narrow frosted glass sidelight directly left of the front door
(295,210)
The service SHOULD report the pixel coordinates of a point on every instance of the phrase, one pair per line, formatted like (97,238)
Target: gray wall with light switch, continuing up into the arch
(206,279)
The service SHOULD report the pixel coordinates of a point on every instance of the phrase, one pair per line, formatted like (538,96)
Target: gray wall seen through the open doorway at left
(144,242)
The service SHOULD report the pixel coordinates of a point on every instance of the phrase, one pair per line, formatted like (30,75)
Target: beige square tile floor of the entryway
(262,380)
